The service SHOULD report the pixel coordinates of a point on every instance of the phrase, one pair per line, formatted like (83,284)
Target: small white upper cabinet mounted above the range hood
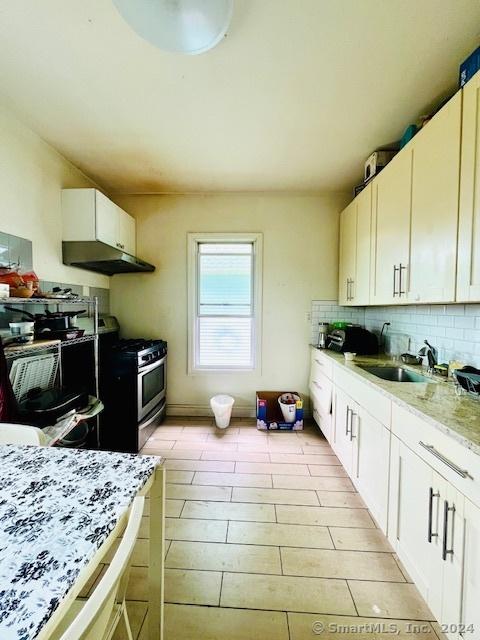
(89,215)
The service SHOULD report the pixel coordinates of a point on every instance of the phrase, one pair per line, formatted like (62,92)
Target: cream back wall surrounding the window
(300,263)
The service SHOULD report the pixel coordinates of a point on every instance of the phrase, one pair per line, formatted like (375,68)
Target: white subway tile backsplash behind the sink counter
(453,329)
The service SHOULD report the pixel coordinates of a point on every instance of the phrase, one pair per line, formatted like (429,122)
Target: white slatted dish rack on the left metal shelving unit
(32,373)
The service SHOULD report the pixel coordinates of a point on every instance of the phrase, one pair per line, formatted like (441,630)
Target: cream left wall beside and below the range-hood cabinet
(31,178)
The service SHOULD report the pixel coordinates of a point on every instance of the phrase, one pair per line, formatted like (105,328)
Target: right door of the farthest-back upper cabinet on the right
(361,286)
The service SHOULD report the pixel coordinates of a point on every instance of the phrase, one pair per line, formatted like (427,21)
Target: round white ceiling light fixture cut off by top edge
(182,26)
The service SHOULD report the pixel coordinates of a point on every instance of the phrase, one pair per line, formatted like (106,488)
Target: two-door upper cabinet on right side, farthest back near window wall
(355,237)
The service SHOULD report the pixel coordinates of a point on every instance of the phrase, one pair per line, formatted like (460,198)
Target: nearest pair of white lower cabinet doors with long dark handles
(436,532)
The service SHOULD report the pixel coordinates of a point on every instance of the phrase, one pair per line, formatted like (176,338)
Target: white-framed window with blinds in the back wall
(224,298)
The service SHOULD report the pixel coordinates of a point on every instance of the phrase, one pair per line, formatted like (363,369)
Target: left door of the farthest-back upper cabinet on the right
(347,250)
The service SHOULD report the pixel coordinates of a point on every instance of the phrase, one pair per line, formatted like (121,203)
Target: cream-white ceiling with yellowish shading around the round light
(295,98)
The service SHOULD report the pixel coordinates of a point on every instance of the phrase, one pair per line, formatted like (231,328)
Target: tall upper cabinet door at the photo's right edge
(468,275)
